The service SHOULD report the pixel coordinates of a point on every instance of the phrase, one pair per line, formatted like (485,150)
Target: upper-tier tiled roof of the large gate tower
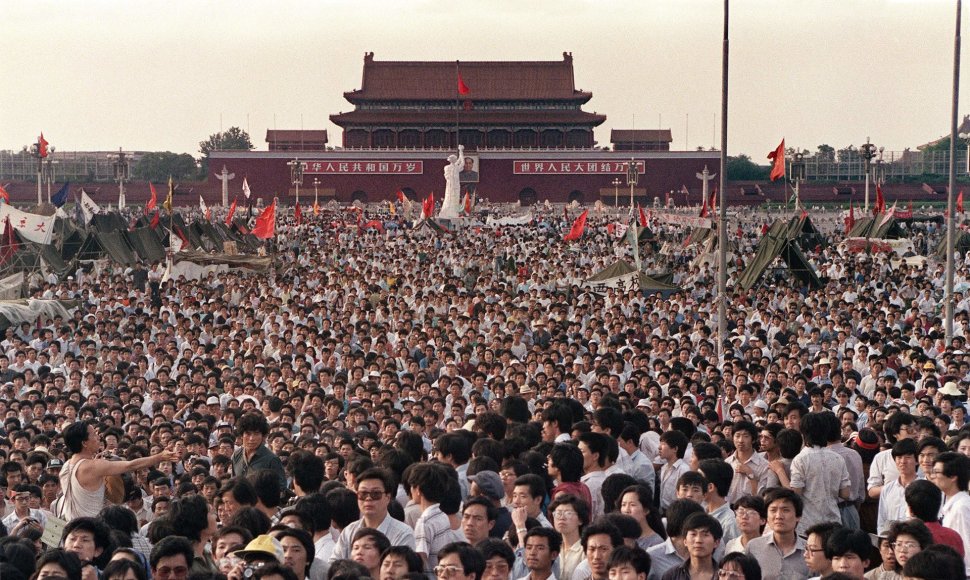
(486,80)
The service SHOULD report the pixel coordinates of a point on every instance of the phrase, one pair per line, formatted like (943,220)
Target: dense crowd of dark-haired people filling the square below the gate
(411,403)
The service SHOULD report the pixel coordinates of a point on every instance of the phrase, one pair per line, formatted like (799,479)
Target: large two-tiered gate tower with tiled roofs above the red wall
(514,104)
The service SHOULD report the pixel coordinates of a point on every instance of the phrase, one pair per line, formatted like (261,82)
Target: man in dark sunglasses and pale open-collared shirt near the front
(375,490)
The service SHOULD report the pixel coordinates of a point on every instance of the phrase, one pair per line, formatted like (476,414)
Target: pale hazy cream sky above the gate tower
(163,75)
